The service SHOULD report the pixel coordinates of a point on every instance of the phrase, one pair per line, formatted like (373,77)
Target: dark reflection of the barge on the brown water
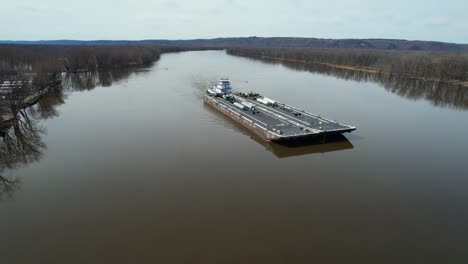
(294,148)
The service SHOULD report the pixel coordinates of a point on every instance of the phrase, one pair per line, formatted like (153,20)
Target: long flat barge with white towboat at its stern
(271,120)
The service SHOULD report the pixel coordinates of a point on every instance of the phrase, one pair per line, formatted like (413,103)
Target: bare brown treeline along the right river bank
(434,66)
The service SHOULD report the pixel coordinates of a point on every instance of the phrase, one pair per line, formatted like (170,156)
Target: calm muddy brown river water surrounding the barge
(139,170)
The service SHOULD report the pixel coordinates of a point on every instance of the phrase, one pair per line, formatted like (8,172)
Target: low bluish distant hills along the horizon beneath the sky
(275,42)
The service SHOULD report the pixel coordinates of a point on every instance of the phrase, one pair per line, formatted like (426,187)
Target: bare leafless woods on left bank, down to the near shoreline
(42,66)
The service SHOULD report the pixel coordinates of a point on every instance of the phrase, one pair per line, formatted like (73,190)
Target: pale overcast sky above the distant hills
(185,19)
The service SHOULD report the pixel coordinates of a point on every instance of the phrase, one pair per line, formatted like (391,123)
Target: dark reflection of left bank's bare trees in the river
(21,137)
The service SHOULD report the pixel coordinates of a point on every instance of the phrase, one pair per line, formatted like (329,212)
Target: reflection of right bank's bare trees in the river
(438,93)
